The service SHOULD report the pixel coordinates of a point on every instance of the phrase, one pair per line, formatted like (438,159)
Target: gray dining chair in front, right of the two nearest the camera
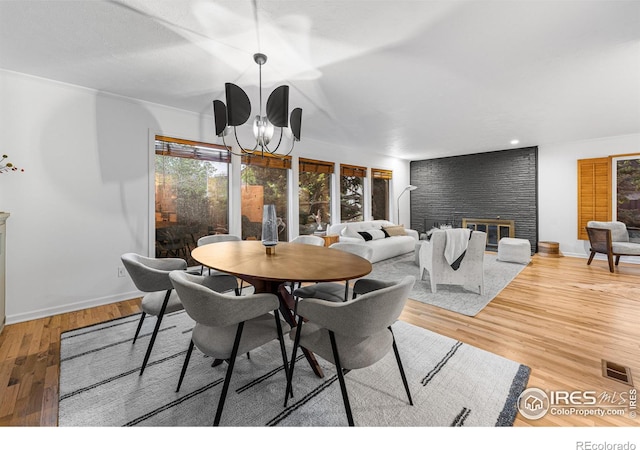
(351,335)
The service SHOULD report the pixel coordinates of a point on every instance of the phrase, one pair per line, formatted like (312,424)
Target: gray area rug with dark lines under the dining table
(452,384)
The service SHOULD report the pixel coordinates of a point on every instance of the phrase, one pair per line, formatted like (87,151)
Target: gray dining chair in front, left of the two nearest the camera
(226,325)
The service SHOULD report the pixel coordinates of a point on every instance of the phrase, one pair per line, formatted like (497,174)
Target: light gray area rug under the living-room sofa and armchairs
(497,275)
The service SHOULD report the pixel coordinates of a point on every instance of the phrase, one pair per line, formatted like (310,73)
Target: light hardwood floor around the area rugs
(559,316)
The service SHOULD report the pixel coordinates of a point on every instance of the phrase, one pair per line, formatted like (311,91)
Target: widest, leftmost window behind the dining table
(191,194)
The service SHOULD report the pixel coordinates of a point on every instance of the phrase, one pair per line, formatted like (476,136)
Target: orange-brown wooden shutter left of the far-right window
(594,192)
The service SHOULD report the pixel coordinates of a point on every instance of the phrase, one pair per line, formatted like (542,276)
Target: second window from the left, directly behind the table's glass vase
(264,182)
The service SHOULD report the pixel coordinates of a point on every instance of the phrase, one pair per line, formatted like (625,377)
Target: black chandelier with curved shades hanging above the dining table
(238,110)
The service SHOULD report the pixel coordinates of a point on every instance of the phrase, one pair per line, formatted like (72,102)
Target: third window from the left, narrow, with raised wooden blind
(314,195)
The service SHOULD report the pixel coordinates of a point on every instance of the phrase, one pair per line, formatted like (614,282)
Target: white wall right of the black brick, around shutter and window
(558,187)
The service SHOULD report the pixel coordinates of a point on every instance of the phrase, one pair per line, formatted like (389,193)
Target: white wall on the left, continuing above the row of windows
(83,199)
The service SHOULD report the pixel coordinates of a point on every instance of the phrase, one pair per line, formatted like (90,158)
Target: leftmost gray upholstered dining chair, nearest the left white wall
(151,276)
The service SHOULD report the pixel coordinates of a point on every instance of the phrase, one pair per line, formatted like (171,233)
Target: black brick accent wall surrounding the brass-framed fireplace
(500,185)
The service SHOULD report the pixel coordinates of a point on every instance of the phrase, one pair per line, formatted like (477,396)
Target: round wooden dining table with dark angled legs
(288,262)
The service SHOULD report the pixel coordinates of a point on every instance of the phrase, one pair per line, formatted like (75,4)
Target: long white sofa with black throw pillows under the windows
(383,247)
